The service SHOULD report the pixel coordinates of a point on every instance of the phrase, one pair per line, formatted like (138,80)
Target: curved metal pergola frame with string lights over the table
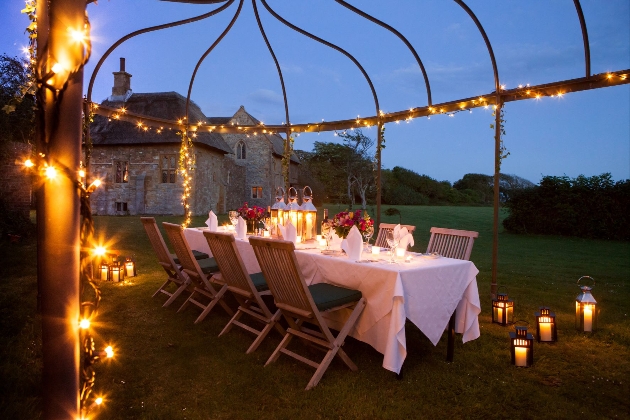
(62,106)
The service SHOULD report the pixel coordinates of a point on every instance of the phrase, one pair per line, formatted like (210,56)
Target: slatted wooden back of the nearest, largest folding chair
(284,277)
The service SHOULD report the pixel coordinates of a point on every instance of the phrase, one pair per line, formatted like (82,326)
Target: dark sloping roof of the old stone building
(165,105)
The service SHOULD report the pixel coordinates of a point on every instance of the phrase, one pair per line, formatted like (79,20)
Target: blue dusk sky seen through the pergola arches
(535,42)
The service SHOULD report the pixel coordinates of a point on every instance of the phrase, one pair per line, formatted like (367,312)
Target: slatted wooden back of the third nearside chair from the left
(233,271)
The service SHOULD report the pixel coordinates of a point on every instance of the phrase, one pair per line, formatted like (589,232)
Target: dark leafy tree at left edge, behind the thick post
(17,101)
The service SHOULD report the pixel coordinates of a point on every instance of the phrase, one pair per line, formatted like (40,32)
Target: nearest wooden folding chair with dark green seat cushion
(303,303)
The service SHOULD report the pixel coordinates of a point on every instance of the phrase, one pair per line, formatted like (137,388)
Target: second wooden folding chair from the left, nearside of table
(202,287)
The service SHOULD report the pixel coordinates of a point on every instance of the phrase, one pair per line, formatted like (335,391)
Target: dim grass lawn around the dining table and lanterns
(168,368)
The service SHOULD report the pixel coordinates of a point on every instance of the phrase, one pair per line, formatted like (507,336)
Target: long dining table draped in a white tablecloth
(424,289)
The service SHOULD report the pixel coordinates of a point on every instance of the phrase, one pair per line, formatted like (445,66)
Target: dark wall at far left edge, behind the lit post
(15,181)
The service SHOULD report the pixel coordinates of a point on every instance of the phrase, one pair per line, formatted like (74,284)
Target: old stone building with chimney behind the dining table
(138,168)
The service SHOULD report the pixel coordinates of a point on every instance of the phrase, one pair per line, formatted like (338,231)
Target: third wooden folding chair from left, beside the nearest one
(246,288)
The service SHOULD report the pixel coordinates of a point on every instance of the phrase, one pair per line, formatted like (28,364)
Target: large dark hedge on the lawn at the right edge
(588,207)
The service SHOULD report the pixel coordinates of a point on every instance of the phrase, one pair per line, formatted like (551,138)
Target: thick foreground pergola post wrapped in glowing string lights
(60,142)
